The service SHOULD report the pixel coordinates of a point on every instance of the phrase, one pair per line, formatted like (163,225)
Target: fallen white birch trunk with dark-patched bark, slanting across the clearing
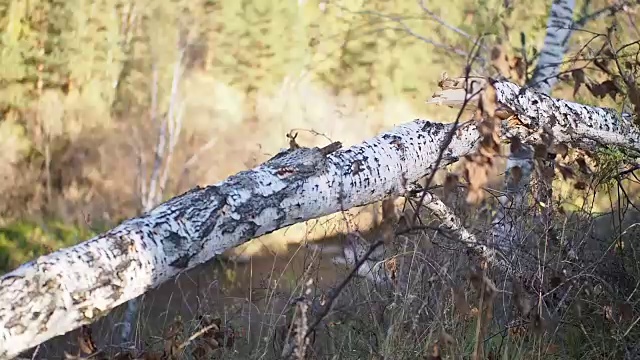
(59,292)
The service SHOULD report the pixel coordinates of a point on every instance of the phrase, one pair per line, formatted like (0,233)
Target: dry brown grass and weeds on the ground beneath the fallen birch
(441,306)
